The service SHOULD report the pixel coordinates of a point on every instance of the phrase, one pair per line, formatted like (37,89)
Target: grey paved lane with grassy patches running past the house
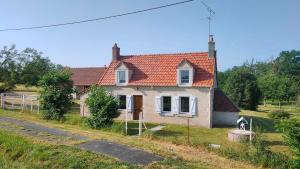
(119,151)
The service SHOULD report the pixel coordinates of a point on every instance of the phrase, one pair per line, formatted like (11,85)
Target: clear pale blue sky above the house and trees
(243,29)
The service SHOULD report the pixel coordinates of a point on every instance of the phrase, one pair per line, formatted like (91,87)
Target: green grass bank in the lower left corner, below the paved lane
(21,152)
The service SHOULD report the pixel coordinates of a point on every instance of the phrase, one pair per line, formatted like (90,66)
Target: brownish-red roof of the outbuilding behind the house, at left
(86,76)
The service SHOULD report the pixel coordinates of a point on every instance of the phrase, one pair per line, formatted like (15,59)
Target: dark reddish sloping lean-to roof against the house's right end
(222,103)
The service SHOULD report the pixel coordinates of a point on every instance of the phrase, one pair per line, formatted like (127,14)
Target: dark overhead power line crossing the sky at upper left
(96,19)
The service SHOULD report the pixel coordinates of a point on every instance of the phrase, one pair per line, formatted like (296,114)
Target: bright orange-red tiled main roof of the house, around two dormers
(161,69)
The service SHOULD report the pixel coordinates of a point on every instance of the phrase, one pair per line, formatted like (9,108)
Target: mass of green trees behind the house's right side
(254,82)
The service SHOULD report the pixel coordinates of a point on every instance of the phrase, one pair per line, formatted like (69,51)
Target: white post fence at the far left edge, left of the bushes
(16,101)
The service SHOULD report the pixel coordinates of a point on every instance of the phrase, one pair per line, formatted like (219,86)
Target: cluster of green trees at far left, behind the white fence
(25,67)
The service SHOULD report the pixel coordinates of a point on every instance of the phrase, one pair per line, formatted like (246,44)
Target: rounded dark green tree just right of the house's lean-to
(241,87)
